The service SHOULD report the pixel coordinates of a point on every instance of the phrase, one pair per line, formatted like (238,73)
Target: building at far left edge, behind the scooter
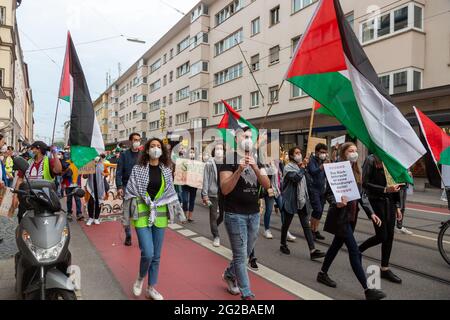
(16,99)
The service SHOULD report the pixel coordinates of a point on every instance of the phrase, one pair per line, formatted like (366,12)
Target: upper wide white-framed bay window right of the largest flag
(397,20)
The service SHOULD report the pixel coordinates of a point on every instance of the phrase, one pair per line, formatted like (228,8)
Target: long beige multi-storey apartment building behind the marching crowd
(207,56)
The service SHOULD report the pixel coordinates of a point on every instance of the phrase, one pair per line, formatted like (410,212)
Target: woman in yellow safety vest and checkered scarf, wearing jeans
(153,199)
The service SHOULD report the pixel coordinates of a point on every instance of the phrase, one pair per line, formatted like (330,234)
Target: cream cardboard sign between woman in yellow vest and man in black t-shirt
(189,172)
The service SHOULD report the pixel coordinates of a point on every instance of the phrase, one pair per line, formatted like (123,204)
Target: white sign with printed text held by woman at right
(342,181)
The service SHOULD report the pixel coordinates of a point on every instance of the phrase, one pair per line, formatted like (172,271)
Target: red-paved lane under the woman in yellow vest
(188,271)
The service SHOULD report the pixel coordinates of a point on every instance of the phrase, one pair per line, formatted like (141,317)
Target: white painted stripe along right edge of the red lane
(278,279)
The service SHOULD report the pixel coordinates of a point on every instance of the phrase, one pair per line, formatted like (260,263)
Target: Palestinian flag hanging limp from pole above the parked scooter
(85,138)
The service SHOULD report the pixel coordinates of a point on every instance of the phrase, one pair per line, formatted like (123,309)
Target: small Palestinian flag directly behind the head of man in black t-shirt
(233,121)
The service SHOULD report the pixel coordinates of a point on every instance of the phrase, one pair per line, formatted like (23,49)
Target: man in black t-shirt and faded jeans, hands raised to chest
(240,179)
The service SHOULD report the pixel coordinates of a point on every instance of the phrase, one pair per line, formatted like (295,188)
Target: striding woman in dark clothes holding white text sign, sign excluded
(341,221)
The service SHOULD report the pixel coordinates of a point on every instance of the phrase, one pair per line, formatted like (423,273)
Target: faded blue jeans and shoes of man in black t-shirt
(242,230)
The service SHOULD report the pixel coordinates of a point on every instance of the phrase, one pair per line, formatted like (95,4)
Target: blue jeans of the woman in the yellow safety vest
(150,242)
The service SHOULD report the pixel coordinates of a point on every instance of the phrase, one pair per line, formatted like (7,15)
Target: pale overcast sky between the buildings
(43,24)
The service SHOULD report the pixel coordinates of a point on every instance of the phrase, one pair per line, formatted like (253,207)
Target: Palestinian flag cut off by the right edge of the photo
(437,140)
